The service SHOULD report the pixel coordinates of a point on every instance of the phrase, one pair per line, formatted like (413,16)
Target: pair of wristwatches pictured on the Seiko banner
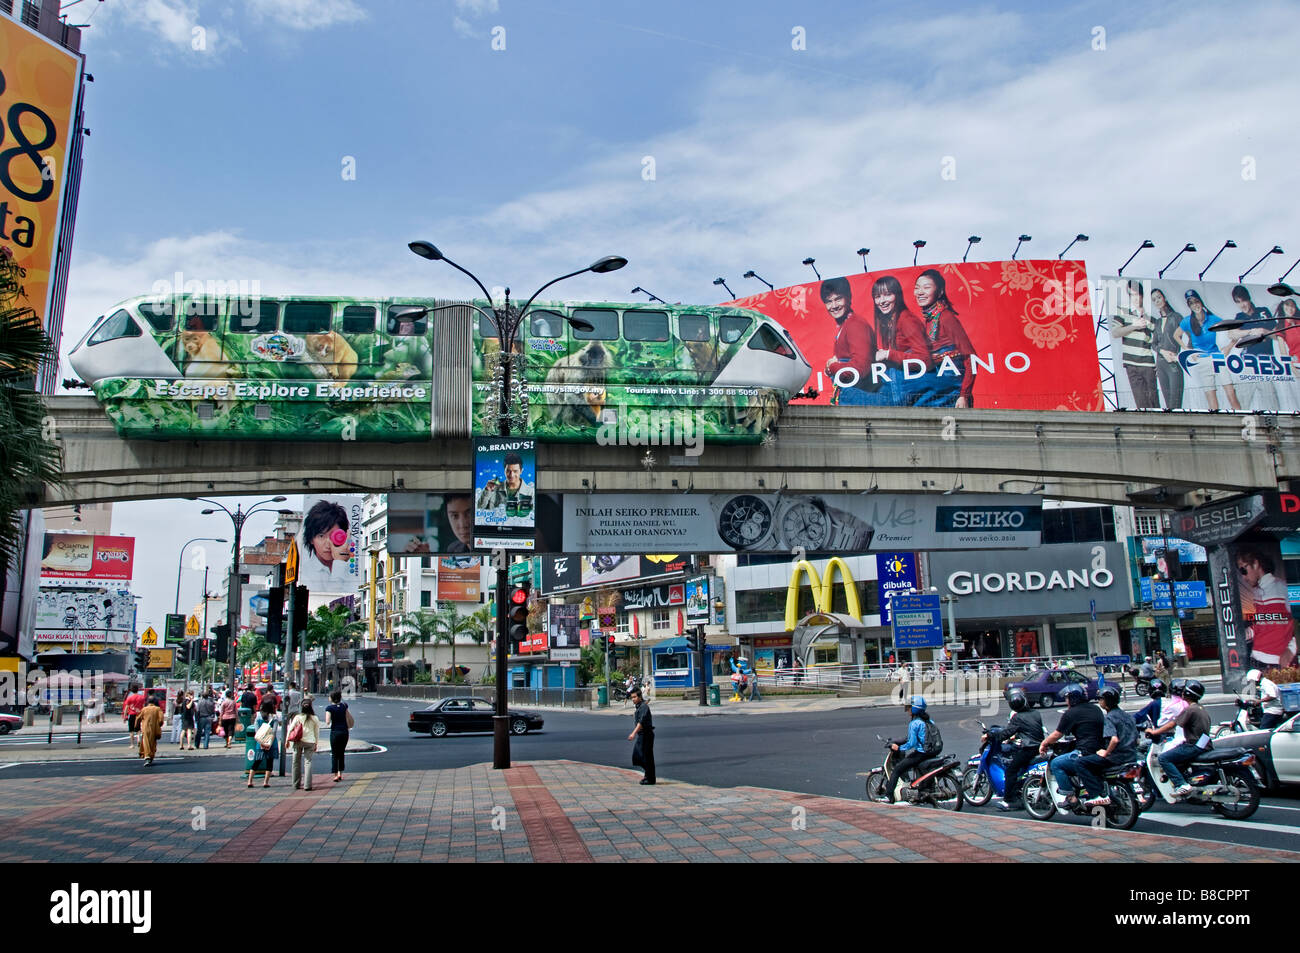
(751,523)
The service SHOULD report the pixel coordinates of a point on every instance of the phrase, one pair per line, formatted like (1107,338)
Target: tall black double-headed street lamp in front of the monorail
(508,323)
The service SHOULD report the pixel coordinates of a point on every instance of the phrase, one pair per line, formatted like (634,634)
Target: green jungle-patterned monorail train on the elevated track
(344,369)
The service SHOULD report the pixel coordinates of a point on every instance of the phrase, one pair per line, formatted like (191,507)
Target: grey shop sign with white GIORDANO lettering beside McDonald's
(1058,581)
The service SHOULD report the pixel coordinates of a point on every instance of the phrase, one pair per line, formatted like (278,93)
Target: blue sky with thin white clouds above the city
(226,163)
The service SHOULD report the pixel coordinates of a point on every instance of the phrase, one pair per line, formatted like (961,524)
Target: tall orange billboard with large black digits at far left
(41,83)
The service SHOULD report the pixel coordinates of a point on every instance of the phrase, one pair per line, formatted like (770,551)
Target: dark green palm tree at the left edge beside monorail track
(28,458)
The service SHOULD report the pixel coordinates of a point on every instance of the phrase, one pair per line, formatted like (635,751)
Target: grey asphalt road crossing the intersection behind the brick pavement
(818,753)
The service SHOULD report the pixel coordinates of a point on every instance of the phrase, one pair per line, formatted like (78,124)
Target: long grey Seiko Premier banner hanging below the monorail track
(782,523)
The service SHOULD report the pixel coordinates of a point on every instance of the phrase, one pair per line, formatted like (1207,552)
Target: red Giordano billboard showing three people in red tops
(999,335)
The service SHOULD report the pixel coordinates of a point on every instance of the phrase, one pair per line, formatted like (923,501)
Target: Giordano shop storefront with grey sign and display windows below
(1056,600)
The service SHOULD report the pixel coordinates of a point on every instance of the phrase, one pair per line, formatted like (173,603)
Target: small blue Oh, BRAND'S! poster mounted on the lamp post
(505,493)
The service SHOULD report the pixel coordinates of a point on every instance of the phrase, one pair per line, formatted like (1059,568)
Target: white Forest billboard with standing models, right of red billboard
(1169,356)
